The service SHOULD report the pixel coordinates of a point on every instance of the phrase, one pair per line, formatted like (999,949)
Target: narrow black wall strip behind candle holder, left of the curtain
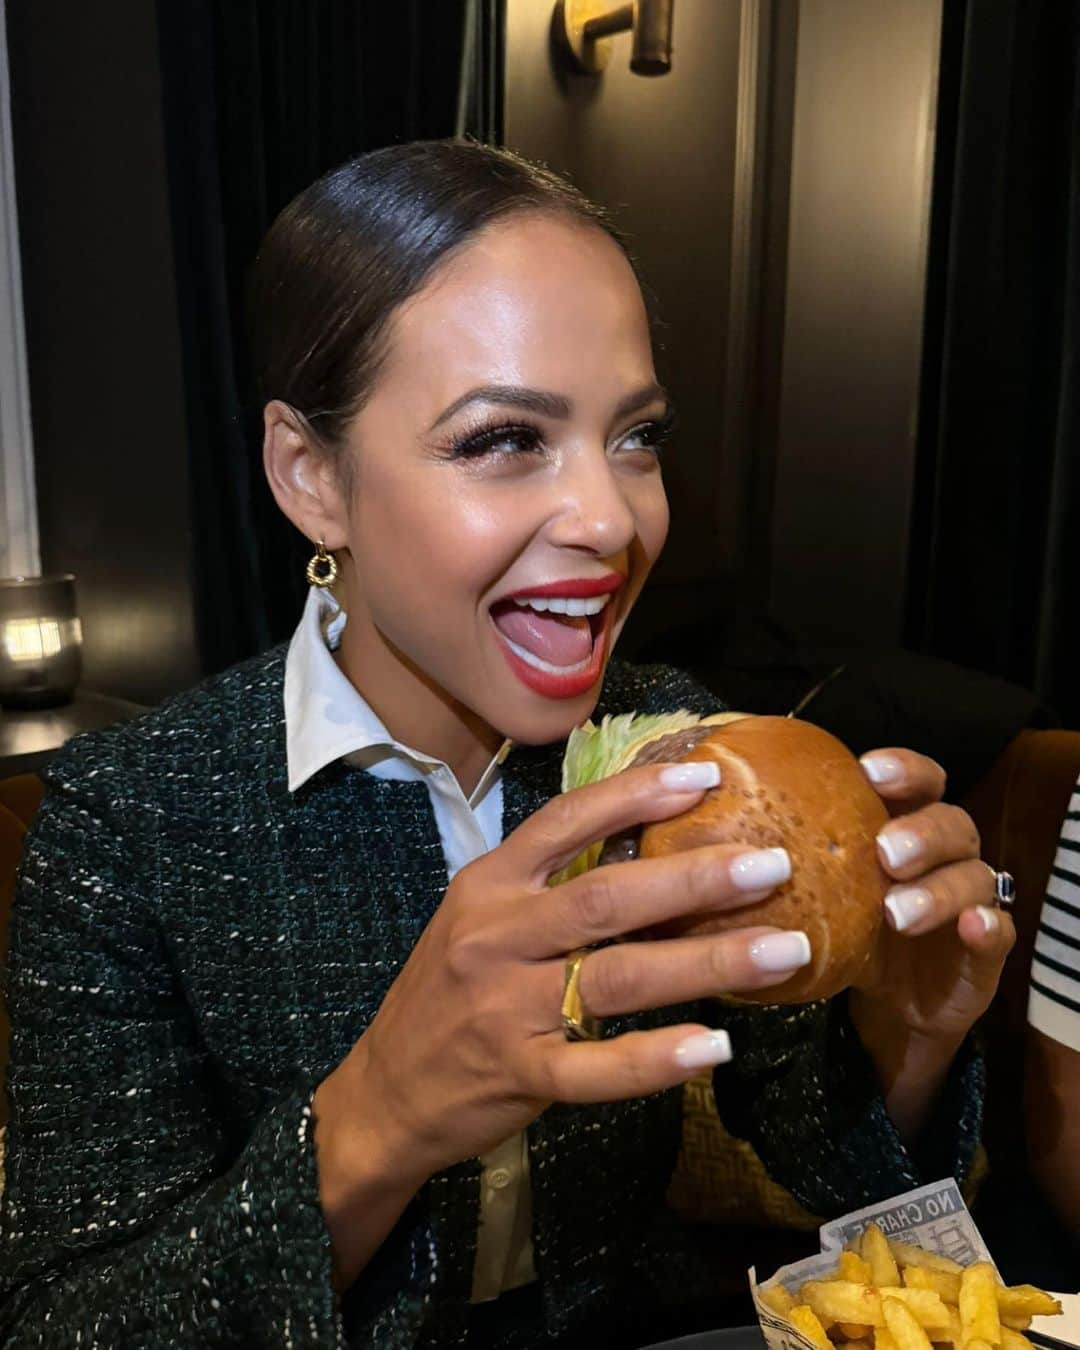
(110,437)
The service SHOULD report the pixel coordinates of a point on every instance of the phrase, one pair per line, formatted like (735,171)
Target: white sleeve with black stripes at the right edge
(1054,1006)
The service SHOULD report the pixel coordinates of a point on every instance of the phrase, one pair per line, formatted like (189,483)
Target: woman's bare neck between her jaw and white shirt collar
(414,709)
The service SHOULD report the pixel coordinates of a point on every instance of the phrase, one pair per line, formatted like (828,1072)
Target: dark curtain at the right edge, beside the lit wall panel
(996,565)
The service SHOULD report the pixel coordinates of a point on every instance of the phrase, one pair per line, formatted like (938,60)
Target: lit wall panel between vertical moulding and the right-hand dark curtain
(855,284)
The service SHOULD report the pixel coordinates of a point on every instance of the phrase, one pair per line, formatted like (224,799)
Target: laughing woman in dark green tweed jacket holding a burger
(287,1009)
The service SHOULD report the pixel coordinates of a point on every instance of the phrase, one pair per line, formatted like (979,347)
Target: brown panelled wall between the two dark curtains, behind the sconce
(777,186)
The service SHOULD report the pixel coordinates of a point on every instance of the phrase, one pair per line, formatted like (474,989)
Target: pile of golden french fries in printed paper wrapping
(889,1295)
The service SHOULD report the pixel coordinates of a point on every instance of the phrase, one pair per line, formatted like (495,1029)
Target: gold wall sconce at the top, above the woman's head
(584,32)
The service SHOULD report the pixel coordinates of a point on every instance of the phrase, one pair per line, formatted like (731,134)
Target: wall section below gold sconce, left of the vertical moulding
(662,155)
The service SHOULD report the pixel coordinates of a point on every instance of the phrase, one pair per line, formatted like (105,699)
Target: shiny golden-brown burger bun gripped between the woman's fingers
(790,785)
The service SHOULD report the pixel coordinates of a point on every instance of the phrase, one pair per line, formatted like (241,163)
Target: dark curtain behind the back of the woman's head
(261,98)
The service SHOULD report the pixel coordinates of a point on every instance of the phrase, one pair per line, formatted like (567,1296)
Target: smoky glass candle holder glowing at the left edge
(41,642)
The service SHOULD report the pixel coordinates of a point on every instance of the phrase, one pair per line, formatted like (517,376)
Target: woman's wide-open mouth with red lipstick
(556,645)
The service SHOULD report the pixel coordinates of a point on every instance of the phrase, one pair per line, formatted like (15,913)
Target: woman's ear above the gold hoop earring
(303,477)
